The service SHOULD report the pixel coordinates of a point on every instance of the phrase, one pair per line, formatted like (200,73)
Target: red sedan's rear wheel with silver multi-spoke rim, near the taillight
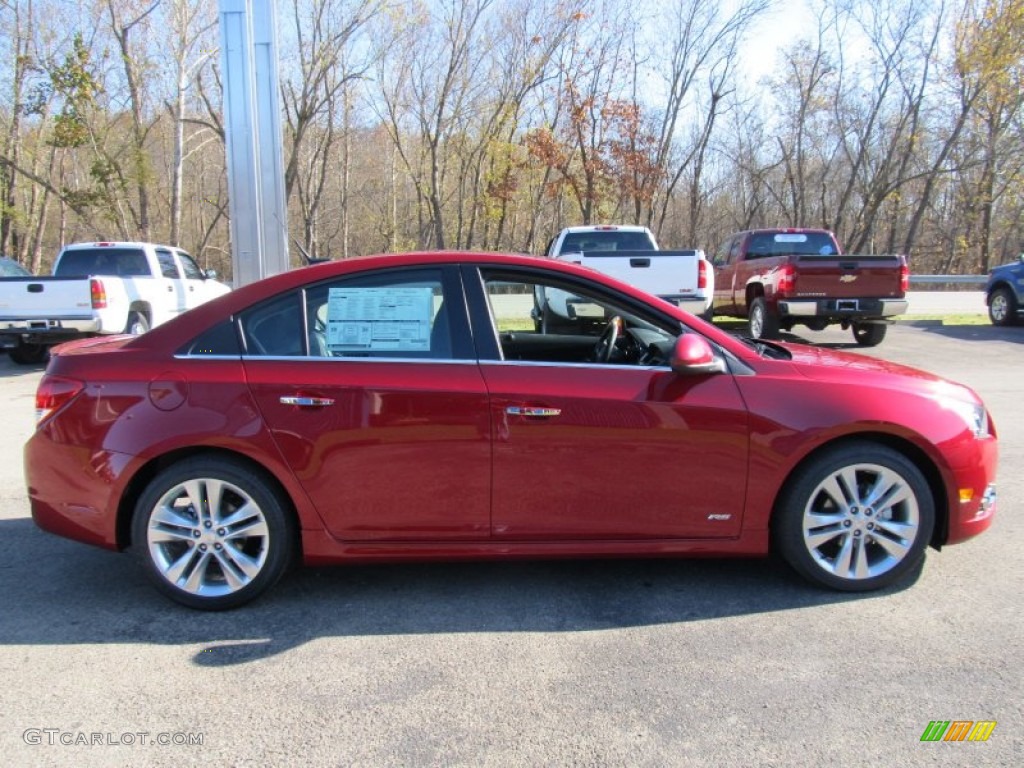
(203,559)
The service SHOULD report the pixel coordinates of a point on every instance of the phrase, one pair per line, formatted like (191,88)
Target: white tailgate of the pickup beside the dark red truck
(660,273)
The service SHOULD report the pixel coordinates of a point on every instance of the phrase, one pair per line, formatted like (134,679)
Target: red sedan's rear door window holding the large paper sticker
(401,314)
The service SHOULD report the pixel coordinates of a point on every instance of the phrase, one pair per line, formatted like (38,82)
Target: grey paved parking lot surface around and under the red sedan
(586,663)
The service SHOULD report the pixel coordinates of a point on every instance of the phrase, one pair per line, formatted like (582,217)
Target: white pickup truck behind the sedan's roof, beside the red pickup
(631,254)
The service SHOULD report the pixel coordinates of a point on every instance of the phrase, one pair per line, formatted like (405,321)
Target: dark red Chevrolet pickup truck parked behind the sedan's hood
(778,279)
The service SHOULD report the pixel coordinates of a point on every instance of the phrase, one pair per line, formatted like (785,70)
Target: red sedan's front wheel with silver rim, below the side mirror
(855,544)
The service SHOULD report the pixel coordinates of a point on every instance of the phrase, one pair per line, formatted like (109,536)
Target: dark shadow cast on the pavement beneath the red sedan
(61,593)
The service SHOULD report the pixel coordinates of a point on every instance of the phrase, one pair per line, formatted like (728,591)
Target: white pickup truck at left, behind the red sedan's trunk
(100,288)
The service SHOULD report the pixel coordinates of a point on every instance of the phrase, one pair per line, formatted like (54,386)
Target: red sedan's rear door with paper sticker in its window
(383,418)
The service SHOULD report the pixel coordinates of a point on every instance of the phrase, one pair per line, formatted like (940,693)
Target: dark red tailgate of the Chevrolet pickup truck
(848,277)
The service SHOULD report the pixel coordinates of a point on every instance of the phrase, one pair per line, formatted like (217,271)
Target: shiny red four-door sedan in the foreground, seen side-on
(411,407)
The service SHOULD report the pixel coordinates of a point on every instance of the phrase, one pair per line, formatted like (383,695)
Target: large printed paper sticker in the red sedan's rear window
(379,320)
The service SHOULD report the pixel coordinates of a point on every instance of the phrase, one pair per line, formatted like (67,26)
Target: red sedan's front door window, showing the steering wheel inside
(541,320)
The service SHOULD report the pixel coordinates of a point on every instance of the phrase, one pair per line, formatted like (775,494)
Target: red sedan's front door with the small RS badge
(589,450)
